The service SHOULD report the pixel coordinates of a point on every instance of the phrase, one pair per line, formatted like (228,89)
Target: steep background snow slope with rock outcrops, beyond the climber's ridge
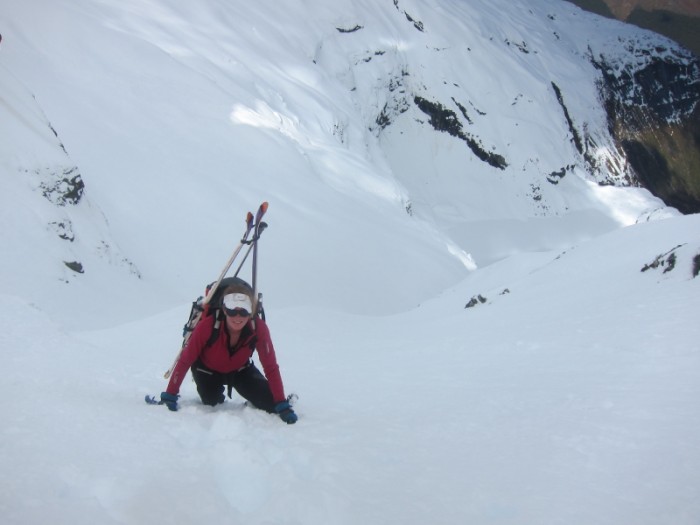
(181,117)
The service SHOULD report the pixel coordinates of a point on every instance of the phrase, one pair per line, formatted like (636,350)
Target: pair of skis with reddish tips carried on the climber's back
(254,225)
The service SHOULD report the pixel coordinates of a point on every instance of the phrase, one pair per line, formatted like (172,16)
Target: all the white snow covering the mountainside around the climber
(567,395)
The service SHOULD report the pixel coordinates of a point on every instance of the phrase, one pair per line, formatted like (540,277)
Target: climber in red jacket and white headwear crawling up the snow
(226,361)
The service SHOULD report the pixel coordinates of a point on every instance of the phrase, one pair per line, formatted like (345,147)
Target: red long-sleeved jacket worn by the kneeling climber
(217,357)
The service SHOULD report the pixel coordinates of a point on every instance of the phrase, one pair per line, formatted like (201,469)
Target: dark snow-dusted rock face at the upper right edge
(653,112)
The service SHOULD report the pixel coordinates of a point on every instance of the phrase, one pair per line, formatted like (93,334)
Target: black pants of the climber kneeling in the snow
(249,382)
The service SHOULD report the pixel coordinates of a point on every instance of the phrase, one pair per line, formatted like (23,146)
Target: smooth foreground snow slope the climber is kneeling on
(570,399)
